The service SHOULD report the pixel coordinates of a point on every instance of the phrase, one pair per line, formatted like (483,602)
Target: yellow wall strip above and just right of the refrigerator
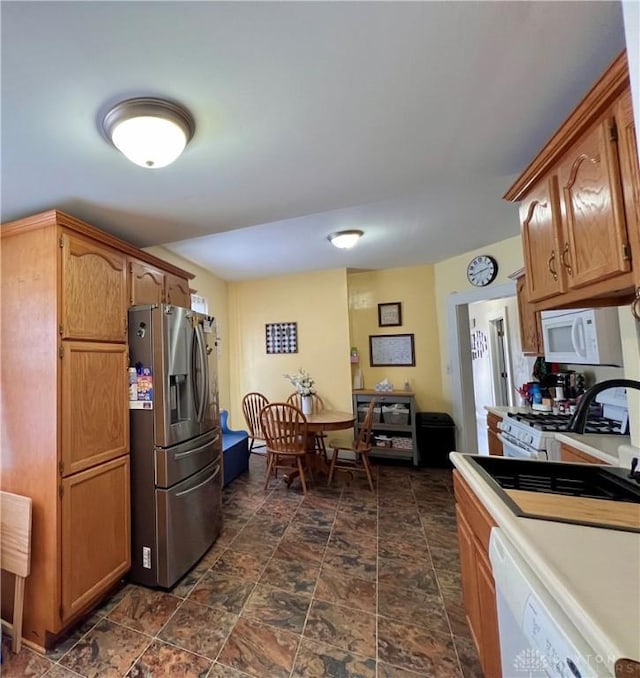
(214,290)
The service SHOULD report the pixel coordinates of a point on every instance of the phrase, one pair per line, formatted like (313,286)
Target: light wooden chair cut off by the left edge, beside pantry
(15,554)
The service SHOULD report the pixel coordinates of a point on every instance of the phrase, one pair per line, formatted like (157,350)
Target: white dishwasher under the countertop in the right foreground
(537,639)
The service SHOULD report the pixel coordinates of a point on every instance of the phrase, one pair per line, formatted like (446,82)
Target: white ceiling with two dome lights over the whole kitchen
(408,120)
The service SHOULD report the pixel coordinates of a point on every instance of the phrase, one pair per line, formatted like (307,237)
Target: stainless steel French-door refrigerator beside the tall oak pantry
(176,444)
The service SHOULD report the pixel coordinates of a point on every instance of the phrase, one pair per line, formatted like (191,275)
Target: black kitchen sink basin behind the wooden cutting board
(574,480)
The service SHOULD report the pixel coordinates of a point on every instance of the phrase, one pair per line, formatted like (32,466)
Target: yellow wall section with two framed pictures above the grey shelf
(413,287)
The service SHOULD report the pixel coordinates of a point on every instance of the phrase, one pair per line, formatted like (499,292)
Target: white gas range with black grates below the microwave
(531,435)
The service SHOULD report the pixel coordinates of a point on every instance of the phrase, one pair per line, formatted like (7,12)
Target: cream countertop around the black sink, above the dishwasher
(593,573)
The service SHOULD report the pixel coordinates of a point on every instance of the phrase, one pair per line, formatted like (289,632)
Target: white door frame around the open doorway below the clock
(460,359)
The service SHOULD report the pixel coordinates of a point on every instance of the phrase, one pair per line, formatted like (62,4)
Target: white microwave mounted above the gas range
(582,336)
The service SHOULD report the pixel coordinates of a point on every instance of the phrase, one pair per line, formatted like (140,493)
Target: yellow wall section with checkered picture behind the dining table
(317,302)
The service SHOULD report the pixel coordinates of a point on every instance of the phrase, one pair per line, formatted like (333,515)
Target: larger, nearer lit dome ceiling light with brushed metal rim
(150,132)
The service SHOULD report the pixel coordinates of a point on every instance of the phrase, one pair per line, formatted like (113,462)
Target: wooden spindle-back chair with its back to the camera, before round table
(285,431)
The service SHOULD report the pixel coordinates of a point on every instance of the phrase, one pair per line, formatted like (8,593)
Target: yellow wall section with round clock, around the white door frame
(451,276)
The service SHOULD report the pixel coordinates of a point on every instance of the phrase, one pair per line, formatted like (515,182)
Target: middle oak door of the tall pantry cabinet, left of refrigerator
(94,414)
